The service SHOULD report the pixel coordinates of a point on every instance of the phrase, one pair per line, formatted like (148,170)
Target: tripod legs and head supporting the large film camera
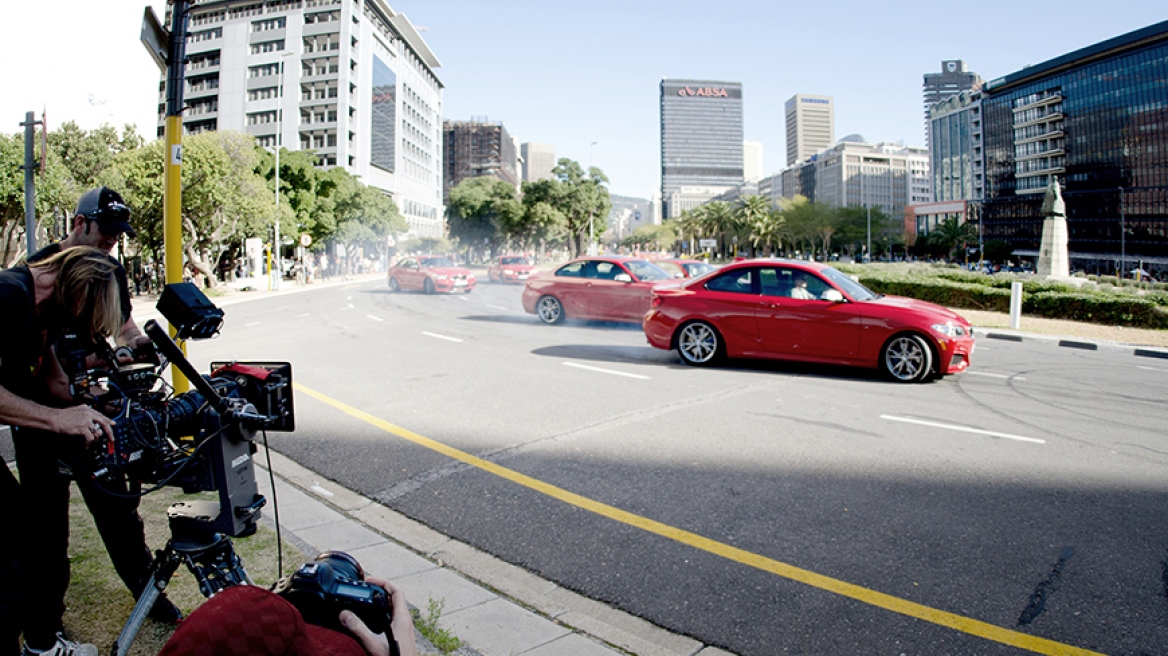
(207,554)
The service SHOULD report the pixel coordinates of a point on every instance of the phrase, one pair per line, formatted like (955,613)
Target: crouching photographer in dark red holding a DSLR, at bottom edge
(248,620)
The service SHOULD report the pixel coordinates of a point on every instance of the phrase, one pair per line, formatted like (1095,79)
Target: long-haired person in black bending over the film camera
(73,291)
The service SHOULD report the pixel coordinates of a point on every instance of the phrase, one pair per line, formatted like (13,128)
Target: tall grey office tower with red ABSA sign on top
(701,142)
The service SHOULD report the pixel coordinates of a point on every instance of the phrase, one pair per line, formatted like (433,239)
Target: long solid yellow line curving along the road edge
(881,601)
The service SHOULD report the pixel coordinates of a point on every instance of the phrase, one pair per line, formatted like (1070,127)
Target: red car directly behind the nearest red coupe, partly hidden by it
(601,289)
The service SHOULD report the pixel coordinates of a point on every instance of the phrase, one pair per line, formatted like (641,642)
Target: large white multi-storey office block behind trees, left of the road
(353,82)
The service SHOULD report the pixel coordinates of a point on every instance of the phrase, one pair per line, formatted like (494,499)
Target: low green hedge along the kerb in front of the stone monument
(1041,298)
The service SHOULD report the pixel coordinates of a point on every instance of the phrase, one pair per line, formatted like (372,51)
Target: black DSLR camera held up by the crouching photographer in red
(333,583)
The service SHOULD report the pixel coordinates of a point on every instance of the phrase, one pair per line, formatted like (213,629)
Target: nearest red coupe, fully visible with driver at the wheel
(807,312)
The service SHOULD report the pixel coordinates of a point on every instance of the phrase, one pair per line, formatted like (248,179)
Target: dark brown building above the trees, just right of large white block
(474,149)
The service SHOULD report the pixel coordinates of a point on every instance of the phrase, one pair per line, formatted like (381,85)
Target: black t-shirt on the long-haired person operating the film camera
(22,343)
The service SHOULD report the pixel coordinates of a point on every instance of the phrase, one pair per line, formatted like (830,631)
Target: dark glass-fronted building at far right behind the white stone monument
(1097,121)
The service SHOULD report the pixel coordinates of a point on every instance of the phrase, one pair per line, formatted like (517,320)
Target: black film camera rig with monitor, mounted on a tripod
(201,441)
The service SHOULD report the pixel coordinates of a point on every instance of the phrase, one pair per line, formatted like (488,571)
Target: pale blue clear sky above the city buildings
(571,74)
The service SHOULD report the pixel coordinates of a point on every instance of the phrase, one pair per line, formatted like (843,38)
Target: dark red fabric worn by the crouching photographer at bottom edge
(249,620)
